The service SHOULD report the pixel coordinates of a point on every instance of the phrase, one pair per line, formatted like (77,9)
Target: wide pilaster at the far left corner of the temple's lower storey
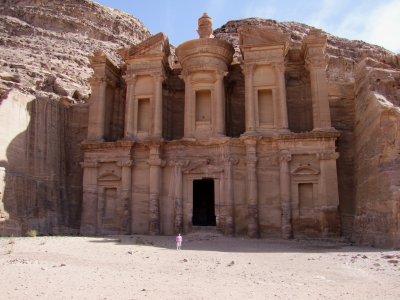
(90,198)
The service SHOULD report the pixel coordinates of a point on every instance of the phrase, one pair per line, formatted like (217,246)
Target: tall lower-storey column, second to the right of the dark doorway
(252,188)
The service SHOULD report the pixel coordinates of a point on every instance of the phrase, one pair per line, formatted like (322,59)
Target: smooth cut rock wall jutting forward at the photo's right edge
(377,162)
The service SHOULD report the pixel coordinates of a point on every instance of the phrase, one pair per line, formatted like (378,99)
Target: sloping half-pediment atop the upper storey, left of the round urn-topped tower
(156,45)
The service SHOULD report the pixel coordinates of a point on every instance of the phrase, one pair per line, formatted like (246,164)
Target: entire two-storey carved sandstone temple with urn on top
(201,136)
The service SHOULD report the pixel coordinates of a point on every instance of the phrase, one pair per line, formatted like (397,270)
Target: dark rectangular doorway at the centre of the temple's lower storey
(203,203)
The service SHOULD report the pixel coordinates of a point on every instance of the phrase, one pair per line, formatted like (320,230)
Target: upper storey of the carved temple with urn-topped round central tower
(205,96)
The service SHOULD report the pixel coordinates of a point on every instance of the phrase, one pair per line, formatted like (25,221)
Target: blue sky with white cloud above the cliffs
(373,21)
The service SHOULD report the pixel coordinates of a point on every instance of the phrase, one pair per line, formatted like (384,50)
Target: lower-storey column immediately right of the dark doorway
(229,211)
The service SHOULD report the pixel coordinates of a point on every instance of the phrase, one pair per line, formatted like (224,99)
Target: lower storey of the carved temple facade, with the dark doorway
(281,186)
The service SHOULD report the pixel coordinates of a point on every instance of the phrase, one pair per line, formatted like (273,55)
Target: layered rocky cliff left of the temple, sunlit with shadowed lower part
(44,71)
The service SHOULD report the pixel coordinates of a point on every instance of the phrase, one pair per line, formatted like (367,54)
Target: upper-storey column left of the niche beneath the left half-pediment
(129,106)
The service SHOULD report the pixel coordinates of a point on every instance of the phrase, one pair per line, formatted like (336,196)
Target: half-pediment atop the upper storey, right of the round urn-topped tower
(269,36)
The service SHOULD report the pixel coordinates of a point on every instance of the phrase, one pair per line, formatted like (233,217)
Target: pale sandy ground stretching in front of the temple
(208,267)
